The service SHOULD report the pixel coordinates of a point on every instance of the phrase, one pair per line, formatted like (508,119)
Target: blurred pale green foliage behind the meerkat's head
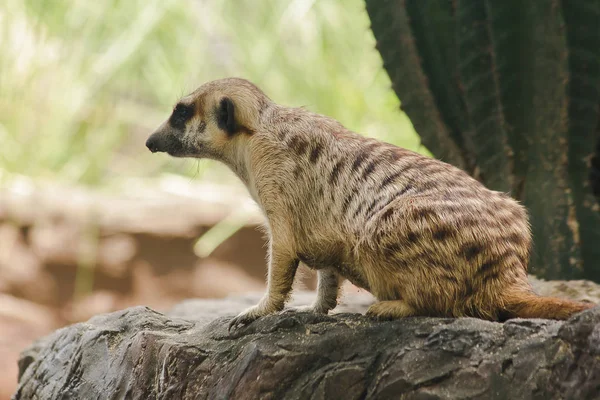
(82,83)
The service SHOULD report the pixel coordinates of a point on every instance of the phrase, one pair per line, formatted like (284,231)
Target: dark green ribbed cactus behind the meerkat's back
(509,90)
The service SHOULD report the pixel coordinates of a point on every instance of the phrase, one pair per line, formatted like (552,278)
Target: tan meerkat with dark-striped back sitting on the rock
(424,237)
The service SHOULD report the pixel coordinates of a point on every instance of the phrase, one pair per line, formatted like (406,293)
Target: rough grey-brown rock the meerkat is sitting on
(188,353)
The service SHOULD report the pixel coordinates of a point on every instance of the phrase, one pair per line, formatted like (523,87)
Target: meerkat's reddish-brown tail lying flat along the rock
(529,305)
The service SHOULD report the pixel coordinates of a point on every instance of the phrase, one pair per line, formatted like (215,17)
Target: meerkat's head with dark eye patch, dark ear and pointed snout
(212,121)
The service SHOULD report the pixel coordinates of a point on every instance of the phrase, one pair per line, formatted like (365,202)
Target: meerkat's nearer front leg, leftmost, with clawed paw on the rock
(282,269)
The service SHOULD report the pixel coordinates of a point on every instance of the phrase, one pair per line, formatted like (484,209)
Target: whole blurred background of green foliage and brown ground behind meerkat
(90,221)
